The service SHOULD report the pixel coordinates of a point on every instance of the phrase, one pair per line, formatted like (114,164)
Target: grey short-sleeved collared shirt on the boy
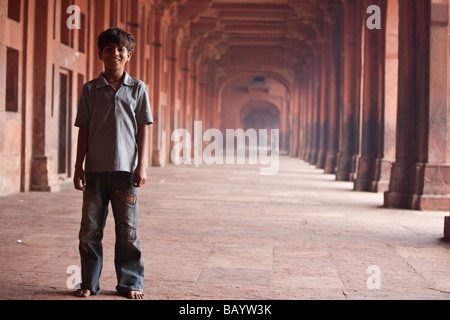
(113,118)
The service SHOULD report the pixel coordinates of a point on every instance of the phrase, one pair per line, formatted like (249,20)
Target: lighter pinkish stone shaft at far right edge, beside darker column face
(436,192)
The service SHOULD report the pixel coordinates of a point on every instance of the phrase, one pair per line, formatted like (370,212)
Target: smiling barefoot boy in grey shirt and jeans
(113,118)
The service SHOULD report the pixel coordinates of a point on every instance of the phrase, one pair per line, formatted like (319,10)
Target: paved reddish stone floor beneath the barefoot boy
(226,232)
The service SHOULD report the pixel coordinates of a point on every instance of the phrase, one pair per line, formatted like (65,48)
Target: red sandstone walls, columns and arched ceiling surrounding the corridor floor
(364,104)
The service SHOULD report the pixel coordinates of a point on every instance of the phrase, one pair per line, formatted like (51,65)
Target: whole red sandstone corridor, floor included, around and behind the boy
(354,93)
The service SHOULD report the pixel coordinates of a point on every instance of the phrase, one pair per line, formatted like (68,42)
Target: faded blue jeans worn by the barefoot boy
(117,188)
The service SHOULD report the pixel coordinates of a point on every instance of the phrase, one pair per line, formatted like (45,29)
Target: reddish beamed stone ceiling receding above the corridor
(255,34)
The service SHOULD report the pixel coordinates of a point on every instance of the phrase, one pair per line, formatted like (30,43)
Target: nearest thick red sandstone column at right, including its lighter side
(420,177)
